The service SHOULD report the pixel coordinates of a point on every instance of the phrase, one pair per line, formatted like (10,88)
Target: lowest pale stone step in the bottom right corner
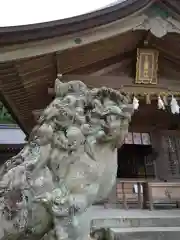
(144,233)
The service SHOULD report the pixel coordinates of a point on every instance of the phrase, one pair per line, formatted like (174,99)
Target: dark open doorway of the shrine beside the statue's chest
(135,161)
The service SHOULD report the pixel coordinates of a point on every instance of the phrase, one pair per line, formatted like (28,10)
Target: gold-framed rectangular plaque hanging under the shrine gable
(146,66)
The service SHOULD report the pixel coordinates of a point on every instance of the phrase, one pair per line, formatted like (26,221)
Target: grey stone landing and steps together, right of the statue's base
(134,224)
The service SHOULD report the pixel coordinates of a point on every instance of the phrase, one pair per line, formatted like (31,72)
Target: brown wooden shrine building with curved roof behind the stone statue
(132,46)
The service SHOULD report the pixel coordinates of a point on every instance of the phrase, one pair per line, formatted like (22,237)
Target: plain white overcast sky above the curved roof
(22,12)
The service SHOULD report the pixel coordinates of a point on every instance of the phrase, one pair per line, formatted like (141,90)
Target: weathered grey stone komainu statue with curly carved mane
(69,163)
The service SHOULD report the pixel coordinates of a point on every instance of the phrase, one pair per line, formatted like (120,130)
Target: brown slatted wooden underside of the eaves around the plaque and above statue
(24,83)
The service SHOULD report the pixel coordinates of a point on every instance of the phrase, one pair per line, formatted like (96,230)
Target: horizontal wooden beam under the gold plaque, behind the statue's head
(123,83)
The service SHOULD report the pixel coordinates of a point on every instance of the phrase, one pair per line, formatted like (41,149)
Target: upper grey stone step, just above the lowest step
(135,222)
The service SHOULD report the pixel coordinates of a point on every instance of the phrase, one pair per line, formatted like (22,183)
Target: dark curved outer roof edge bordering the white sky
(24,33)
